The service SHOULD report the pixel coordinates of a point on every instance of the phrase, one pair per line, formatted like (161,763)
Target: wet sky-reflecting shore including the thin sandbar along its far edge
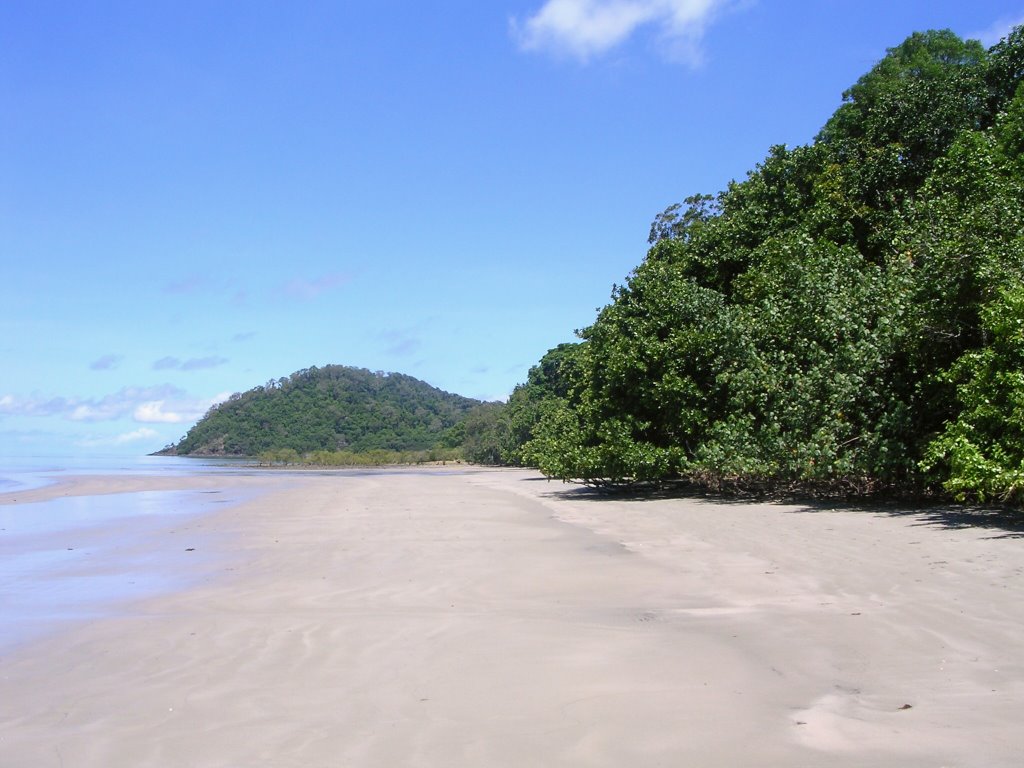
(83,547)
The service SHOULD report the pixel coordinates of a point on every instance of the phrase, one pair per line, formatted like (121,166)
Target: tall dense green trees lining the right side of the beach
(846,319)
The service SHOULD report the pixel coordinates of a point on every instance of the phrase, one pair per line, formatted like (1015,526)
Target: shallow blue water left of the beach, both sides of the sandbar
(76,559)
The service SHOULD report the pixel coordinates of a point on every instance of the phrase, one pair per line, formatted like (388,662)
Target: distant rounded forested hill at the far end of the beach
(334,408)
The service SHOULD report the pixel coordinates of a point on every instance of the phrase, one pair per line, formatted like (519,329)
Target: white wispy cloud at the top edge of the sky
(584,29)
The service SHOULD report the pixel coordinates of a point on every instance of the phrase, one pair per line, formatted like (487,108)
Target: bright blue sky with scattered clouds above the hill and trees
(199,197)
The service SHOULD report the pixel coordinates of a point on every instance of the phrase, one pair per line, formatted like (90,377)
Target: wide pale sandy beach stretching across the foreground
(488,618)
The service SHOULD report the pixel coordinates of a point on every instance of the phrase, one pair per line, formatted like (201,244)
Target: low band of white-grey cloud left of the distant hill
(159,405)
